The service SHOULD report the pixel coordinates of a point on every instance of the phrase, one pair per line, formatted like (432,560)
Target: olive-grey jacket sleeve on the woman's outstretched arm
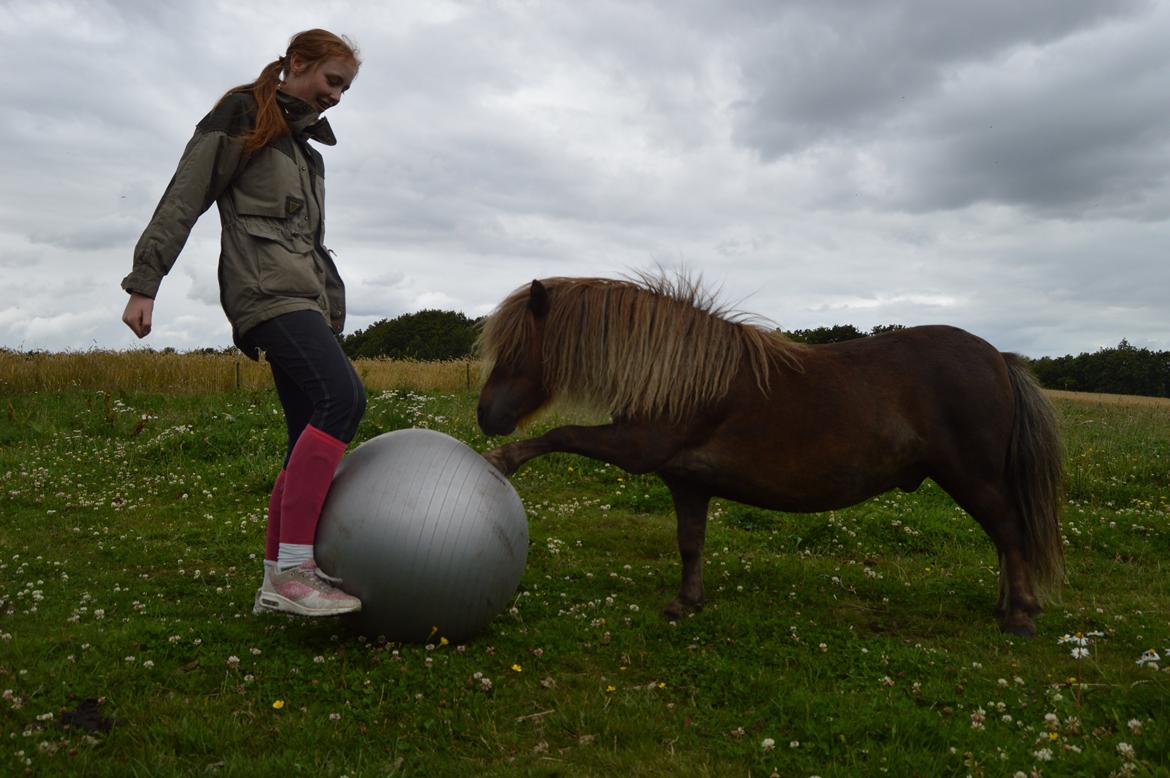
(212,160)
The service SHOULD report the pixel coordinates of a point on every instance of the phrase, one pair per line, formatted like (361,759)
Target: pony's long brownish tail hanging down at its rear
(1037,473)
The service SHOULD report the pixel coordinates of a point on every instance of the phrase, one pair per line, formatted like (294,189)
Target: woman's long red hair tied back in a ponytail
(311,47)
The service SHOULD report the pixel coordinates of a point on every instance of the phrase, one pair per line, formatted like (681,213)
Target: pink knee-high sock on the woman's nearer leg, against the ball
(307,481)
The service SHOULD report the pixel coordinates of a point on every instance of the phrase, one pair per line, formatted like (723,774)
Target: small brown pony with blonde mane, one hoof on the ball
(720,408)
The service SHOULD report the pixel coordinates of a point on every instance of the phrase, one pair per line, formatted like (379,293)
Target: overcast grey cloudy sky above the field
(999,166)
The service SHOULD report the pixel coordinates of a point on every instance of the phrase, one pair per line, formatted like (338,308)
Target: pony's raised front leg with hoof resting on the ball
(631,446)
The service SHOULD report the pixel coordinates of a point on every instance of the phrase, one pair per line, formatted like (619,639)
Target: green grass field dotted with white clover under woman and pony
(854,643)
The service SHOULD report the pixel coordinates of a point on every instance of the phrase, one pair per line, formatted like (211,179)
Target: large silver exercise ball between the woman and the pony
(430,536)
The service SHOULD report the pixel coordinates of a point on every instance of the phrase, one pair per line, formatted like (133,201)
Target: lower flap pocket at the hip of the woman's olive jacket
(285,259)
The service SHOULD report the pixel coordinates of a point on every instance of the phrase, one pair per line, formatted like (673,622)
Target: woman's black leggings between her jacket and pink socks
(315,381)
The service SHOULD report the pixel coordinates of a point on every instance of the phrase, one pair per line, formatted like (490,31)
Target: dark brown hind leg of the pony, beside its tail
(1001,520)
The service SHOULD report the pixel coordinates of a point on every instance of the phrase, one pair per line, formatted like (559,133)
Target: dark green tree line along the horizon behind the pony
(436,335)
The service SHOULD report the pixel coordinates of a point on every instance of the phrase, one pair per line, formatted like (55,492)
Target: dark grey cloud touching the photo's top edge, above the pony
(818,73)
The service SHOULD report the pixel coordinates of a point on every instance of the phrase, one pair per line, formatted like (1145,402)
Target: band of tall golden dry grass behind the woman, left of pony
(173,373)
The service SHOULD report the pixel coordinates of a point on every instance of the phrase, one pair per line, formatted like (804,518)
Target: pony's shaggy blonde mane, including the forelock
(651,347)
